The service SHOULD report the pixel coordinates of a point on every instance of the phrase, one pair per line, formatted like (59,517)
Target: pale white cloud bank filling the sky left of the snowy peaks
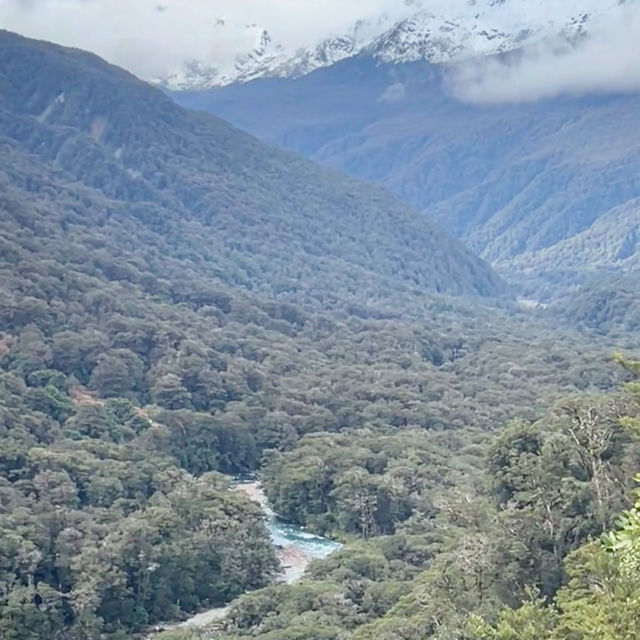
(153,37)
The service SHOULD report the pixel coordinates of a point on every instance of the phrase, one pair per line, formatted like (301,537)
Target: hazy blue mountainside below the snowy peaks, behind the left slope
(529,187)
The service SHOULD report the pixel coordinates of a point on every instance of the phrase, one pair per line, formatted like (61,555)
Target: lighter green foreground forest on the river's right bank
(544,545)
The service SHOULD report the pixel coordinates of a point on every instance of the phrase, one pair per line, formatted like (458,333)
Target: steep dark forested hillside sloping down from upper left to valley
(202,191)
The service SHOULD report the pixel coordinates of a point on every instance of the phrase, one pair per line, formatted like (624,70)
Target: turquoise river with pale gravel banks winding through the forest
(296,548)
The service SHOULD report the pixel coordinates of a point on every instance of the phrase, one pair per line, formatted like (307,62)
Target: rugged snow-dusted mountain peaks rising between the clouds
(434,30)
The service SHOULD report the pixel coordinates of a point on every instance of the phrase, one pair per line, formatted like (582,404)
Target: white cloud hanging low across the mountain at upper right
(606,61)
